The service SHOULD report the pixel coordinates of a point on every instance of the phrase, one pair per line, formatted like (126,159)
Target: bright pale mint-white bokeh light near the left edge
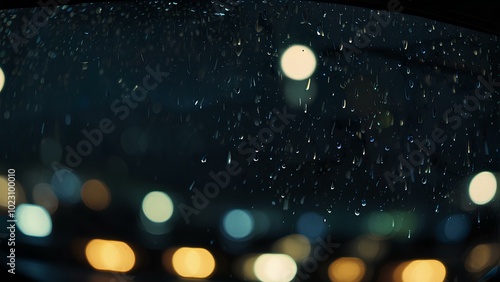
(33,220)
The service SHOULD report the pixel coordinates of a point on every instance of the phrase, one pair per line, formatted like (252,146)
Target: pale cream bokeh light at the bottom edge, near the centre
(275,267)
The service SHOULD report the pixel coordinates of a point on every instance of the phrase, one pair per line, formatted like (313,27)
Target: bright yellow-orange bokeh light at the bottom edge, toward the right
(424,271)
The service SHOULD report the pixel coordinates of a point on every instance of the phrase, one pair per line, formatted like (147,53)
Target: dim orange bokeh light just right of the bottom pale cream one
(346,269)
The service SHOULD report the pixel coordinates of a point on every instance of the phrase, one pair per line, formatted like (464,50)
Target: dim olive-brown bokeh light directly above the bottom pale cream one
(296,246)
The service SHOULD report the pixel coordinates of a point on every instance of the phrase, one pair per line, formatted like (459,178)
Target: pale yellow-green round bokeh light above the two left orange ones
(157,206)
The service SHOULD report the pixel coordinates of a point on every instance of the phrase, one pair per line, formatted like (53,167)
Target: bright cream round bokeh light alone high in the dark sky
(298,62)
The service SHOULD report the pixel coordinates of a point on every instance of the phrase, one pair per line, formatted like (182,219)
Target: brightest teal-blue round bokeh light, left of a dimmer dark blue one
(238,224)
